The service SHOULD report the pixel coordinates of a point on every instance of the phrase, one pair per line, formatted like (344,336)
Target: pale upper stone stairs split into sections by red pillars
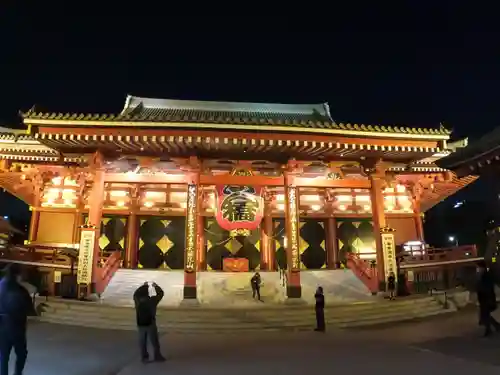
(226,289)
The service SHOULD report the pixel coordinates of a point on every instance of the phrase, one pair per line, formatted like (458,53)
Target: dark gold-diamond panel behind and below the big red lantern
(220,245)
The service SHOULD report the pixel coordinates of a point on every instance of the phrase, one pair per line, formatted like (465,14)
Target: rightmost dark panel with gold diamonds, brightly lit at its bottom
(355,235)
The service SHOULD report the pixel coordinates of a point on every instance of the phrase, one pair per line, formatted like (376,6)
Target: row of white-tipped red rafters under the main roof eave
(182,145)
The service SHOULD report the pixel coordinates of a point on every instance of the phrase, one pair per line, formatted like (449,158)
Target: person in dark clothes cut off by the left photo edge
(15,307)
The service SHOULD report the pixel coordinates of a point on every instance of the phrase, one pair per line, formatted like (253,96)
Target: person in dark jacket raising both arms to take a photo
(145,307)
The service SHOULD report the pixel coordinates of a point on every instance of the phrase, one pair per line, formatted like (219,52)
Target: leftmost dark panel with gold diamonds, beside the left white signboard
(113,233)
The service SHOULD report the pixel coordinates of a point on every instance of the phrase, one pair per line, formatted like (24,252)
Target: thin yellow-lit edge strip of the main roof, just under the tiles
(374,131)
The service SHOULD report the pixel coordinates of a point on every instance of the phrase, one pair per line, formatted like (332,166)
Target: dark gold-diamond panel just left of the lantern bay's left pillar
(161,242)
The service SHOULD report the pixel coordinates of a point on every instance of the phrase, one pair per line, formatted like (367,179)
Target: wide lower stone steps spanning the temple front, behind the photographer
(287,317)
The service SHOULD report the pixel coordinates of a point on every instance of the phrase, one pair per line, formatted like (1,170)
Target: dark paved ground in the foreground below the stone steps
(449,344)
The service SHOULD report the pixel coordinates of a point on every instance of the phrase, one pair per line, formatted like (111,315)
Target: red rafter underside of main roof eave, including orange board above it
(253,144)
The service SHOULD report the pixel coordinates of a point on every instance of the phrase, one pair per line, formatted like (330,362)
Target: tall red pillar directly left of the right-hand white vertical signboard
(379,222)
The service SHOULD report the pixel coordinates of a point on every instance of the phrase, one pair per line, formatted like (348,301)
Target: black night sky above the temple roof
(411,65)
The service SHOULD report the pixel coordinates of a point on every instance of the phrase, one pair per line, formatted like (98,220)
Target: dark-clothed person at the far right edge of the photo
(486,298)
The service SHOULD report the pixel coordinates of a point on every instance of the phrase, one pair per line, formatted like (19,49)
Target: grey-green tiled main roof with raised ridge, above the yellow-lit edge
(314,116)
